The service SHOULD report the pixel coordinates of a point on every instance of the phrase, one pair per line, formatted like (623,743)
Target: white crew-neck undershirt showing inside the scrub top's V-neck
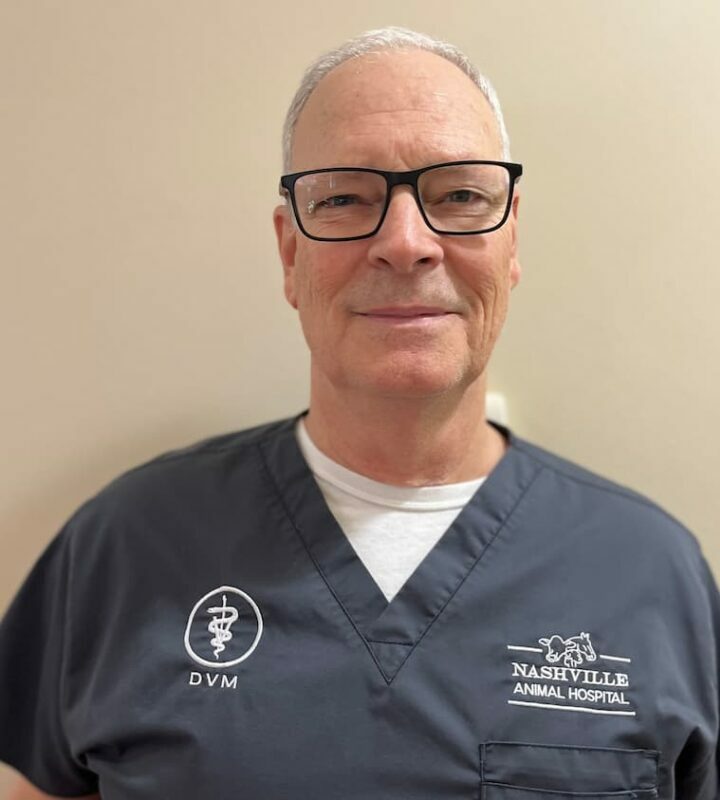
(391,528)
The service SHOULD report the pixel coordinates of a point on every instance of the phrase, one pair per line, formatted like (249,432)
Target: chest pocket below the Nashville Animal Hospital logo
(522,771)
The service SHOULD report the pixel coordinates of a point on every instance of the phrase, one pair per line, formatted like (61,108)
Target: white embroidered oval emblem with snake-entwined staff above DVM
(223,628)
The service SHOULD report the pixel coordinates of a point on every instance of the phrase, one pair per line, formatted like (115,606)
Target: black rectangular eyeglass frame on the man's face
(408,177)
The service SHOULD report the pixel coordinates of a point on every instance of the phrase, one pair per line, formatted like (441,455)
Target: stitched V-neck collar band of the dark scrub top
(392,629)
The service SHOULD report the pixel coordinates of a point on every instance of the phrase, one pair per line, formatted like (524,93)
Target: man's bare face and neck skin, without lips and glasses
(403,405)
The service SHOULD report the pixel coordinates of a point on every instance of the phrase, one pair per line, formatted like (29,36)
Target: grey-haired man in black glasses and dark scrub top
(387,596)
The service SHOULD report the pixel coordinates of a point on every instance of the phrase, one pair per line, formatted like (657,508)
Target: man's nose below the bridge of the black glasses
(404,241)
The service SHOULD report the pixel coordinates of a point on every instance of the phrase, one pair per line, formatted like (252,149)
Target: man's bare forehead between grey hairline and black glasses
(395,110)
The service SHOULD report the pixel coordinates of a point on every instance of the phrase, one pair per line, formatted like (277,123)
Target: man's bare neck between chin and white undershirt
(406,441)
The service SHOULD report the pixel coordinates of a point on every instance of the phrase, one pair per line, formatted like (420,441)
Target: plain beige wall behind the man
(140,292)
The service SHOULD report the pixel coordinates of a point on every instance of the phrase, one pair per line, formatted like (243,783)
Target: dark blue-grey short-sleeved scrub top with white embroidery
(203,628)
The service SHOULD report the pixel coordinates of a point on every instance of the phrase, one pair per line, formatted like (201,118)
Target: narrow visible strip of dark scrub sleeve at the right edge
(697,769)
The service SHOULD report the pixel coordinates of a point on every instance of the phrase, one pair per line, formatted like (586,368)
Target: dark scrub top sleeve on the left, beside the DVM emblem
(33,642)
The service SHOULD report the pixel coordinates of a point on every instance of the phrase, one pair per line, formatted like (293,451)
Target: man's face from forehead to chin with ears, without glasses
(398,111)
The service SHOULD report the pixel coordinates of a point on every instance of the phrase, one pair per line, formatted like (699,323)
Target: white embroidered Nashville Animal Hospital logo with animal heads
(559,681)
